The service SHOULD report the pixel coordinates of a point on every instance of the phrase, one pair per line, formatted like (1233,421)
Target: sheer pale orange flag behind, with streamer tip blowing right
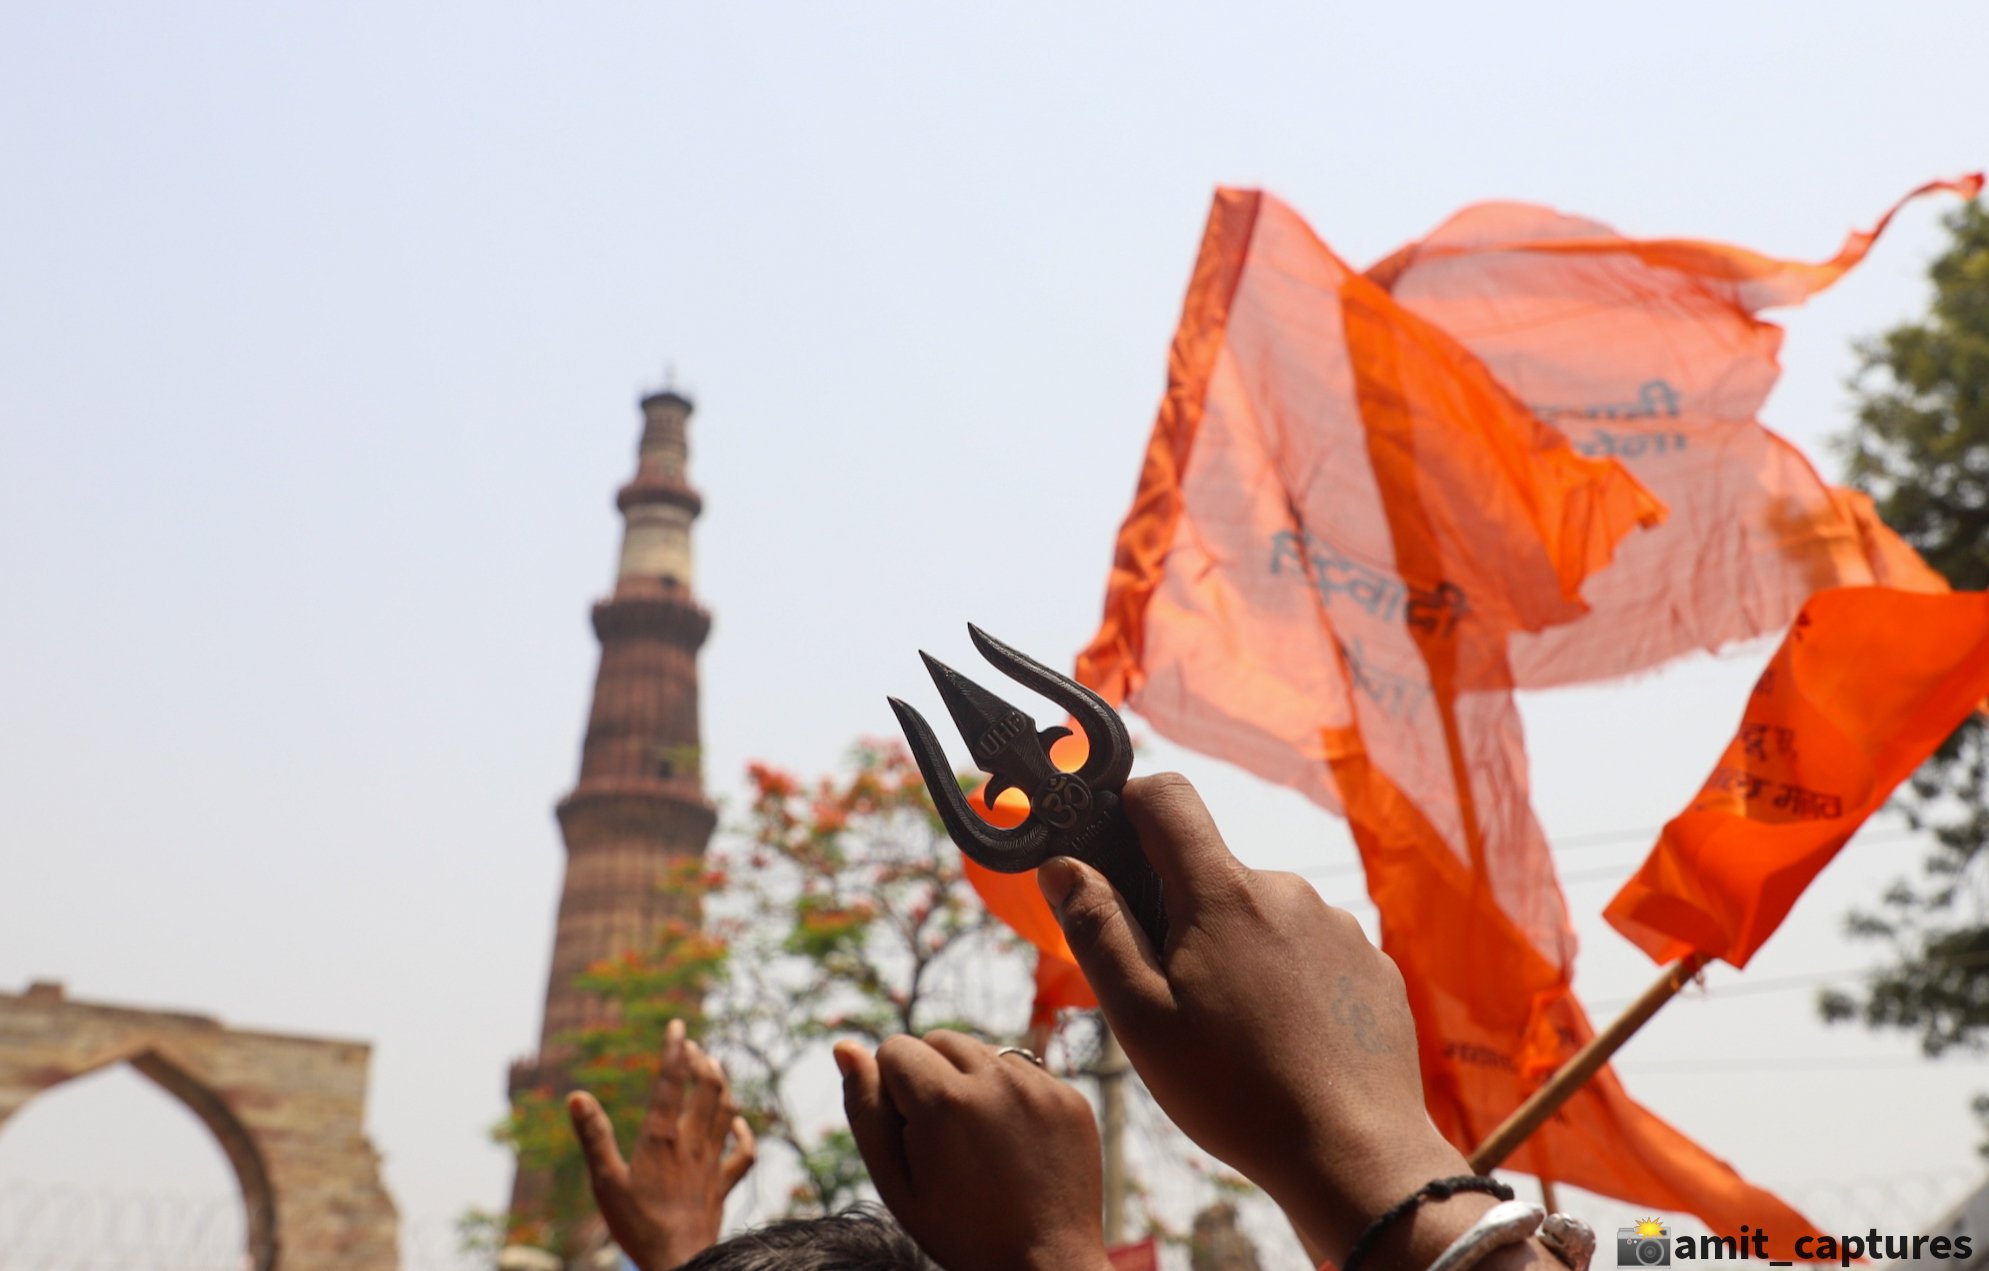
(1650,351)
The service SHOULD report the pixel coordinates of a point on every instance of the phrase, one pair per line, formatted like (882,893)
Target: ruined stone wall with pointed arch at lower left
(287,1111)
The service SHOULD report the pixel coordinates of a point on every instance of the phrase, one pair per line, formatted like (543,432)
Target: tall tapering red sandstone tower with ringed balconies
(639,803)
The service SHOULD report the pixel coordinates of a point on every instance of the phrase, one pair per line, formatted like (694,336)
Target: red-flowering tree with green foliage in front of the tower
(834,910)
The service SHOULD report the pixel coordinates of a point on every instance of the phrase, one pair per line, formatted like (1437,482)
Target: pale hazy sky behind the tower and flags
(319,353)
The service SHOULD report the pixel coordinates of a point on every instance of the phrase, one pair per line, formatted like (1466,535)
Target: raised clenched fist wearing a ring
(988,1161)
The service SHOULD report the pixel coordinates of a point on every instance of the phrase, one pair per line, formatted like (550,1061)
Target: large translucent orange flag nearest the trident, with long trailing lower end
(1342,524)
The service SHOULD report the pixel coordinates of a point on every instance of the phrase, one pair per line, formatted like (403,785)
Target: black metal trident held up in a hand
(1075,815)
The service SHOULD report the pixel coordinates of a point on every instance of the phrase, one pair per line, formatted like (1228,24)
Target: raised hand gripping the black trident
(1270,1029)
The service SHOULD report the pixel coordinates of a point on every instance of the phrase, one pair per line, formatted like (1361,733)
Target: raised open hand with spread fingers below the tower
(667,1200)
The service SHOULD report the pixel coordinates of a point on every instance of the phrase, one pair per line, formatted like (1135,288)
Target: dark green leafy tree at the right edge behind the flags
(1920,449)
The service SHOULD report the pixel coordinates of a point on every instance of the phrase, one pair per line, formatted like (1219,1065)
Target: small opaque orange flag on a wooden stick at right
(1867,685)
